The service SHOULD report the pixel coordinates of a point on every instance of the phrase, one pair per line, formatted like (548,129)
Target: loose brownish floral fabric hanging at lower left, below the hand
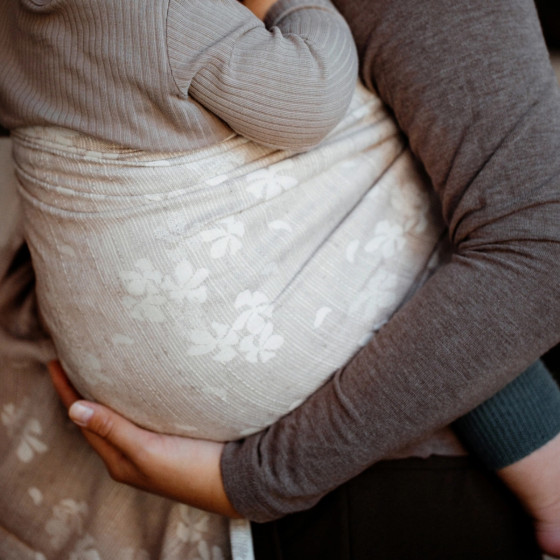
(57,501)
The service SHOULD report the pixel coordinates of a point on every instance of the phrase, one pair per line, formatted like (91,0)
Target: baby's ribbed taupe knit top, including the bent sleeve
(174,75)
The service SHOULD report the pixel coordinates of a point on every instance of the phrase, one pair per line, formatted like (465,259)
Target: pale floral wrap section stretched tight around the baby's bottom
(209,293)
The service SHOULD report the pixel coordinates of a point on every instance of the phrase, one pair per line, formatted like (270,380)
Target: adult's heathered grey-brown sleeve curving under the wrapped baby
(472,88)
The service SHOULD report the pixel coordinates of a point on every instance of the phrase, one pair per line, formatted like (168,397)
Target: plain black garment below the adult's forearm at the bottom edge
(441,508)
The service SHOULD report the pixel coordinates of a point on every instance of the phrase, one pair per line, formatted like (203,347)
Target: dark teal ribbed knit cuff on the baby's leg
(516,421)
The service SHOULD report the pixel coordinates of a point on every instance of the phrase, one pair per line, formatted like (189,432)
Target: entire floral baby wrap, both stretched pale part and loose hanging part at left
(238,212)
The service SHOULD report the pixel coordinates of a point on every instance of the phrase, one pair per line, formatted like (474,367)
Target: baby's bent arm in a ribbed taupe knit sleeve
(285,83)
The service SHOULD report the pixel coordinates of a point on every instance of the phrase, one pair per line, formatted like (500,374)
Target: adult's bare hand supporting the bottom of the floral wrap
(183,469)
